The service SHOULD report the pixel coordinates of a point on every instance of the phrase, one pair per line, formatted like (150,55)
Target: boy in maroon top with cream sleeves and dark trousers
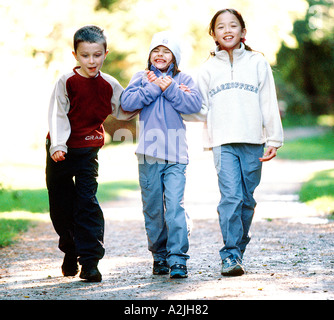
(80,102)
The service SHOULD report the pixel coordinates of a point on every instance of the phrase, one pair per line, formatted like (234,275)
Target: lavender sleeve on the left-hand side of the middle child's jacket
(139,93)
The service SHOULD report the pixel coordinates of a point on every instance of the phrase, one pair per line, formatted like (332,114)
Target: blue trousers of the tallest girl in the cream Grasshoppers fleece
(239,173)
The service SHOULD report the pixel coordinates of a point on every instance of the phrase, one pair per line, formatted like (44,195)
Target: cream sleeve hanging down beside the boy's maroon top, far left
(59,124)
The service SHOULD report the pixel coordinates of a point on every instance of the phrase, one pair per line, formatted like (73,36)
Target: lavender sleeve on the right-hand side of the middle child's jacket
(184,101)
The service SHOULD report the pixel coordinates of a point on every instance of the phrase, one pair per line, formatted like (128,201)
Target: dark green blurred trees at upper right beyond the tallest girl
(305,74)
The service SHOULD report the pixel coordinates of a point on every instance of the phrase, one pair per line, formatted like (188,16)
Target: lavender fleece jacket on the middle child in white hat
(162,130)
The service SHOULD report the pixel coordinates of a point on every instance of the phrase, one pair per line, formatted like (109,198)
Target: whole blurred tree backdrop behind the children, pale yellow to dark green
(36,45)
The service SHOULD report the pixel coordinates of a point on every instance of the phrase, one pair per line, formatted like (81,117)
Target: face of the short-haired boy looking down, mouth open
(90,57)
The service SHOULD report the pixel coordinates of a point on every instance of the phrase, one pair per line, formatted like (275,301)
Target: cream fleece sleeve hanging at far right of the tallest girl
(269,107)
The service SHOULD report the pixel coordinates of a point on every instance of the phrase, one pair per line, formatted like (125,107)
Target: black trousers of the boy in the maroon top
(74,210)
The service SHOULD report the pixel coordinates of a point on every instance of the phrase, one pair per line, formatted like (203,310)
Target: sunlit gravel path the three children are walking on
(290,256)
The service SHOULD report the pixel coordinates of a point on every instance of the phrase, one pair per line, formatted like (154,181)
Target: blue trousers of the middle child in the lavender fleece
(166,221)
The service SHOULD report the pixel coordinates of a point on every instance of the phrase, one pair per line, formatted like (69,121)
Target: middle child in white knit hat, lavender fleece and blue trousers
(162,93)
